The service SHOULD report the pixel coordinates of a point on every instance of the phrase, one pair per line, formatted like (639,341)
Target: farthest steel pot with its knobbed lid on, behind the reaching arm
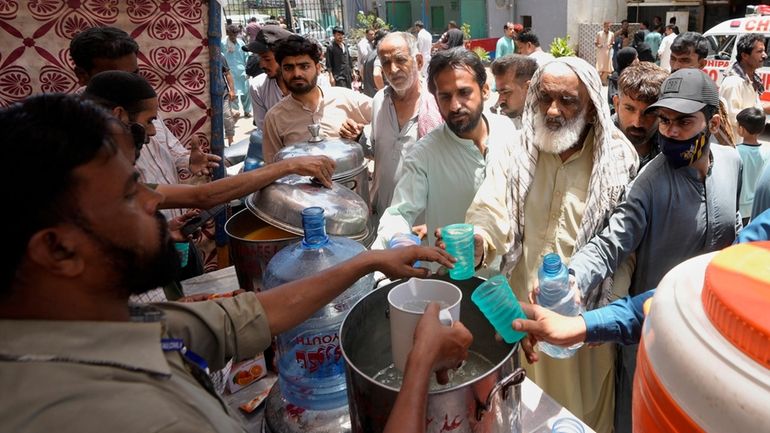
(348,155)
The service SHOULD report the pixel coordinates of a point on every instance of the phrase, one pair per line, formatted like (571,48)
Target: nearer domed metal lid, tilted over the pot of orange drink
(281,203)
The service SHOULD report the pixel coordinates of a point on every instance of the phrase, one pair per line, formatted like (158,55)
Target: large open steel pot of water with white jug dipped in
(488,404)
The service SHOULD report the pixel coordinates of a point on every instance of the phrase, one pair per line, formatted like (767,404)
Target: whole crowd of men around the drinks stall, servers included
(622,198)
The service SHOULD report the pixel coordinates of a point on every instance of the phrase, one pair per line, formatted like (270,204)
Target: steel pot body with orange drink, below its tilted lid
(251,256)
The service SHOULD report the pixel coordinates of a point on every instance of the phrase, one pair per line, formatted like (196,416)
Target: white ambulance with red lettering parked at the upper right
(723,39)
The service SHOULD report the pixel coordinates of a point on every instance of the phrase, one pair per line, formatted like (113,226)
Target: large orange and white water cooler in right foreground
(704,357)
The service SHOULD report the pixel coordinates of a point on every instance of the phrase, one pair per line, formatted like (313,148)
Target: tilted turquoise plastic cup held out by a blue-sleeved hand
(496,300)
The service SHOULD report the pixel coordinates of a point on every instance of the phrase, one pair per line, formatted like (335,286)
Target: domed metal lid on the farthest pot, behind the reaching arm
(347,154)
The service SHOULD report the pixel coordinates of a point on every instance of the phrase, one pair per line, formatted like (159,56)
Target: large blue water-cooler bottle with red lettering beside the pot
(310,362)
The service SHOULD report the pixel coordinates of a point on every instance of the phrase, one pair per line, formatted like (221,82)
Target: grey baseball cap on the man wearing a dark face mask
(687,91)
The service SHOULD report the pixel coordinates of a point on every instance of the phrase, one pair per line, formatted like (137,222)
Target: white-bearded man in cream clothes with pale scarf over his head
(568,168)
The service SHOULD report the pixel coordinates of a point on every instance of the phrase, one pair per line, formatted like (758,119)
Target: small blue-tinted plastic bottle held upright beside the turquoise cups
(556,295)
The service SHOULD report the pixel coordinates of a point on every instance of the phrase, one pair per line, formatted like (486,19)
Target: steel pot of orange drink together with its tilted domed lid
(273,220)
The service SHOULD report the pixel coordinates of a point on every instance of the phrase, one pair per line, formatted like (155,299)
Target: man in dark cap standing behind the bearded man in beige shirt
(268,88)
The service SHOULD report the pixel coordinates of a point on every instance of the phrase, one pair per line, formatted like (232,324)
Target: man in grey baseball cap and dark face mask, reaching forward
(683,204)
